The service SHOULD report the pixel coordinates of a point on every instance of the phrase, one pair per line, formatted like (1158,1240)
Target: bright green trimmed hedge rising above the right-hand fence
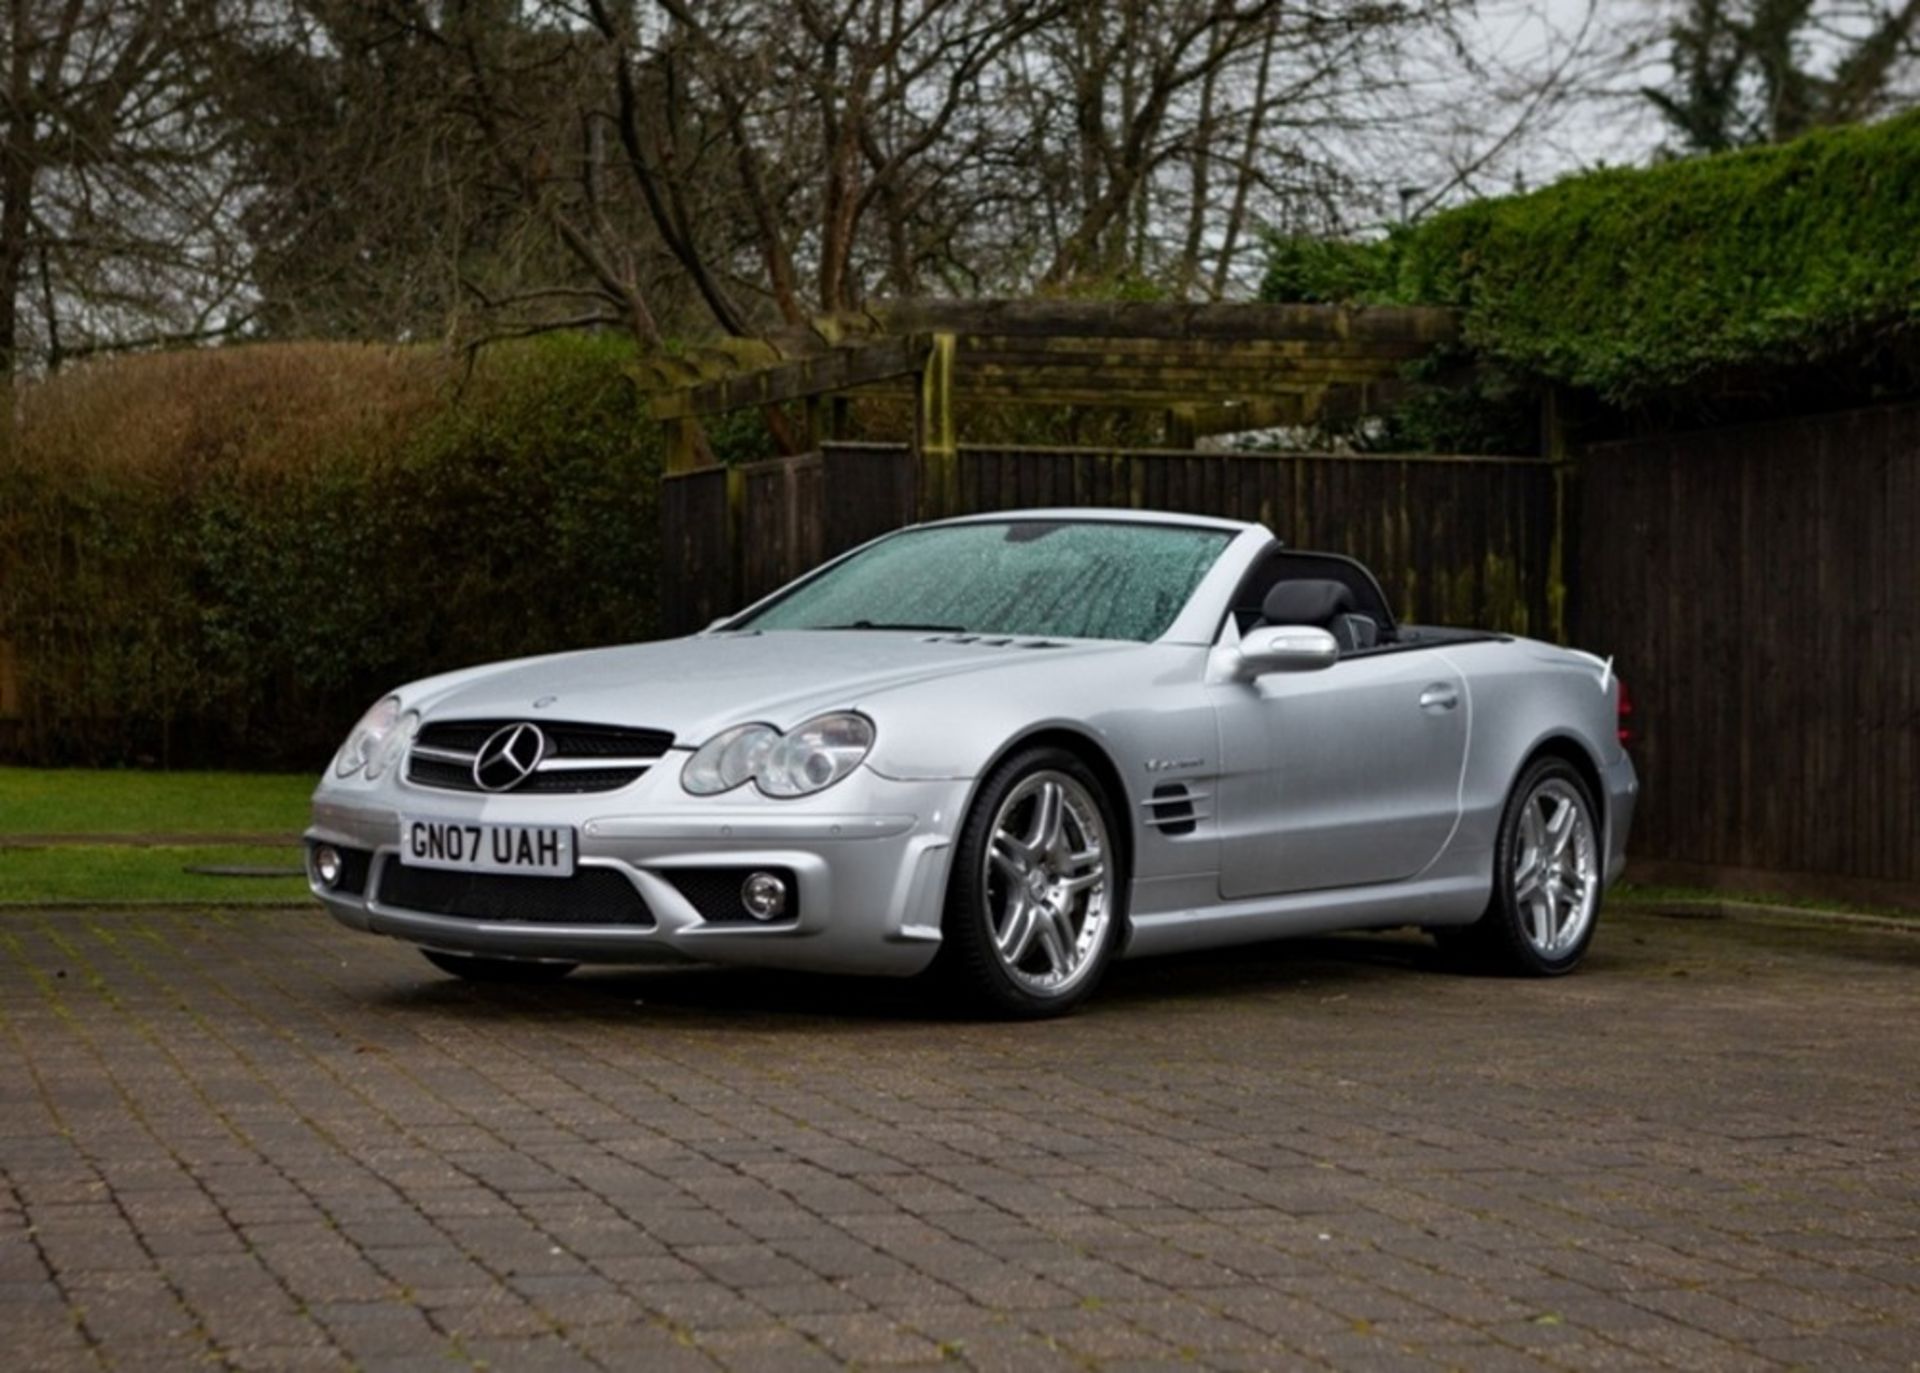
(1643,281)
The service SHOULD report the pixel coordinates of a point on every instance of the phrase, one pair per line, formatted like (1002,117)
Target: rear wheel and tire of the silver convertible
(1548,877)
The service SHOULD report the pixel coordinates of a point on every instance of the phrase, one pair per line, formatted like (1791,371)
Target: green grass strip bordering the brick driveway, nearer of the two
(122,873)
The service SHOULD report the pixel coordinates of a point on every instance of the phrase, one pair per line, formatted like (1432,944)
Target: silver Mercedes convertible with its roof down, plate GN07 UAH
(1005,752)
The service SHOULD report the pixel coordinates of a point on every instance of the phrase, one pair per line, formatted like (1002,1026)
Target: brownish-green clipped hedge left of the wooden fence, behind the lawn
(226,556)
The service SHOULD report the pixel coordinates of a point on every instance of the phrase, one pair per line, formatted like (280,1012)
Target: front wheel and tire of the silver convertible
(1038,890)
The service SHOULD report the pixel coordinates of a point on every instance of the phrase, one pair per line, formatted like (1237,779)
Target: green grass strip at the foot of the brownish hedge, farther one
(87,802)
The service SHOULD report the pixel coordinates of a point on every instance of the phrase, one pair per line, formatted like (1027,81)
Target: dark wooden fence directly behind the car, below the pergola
(1464,541)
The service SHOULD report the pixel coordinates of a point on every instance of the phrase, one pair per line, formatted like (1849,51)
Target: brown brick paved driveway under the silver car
(262,1142)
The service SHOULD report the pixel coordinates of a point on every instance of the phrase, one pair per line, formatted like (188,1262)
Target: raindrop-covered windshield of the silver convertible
(1084,579)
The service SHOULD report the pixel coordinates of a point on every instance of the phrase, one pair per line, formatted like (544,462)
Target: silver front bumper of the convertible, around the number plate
(869,859)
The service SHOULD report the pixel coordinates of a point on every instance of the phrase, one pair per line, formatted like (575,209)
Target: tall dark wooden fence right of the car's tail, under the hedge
(1762,592)
